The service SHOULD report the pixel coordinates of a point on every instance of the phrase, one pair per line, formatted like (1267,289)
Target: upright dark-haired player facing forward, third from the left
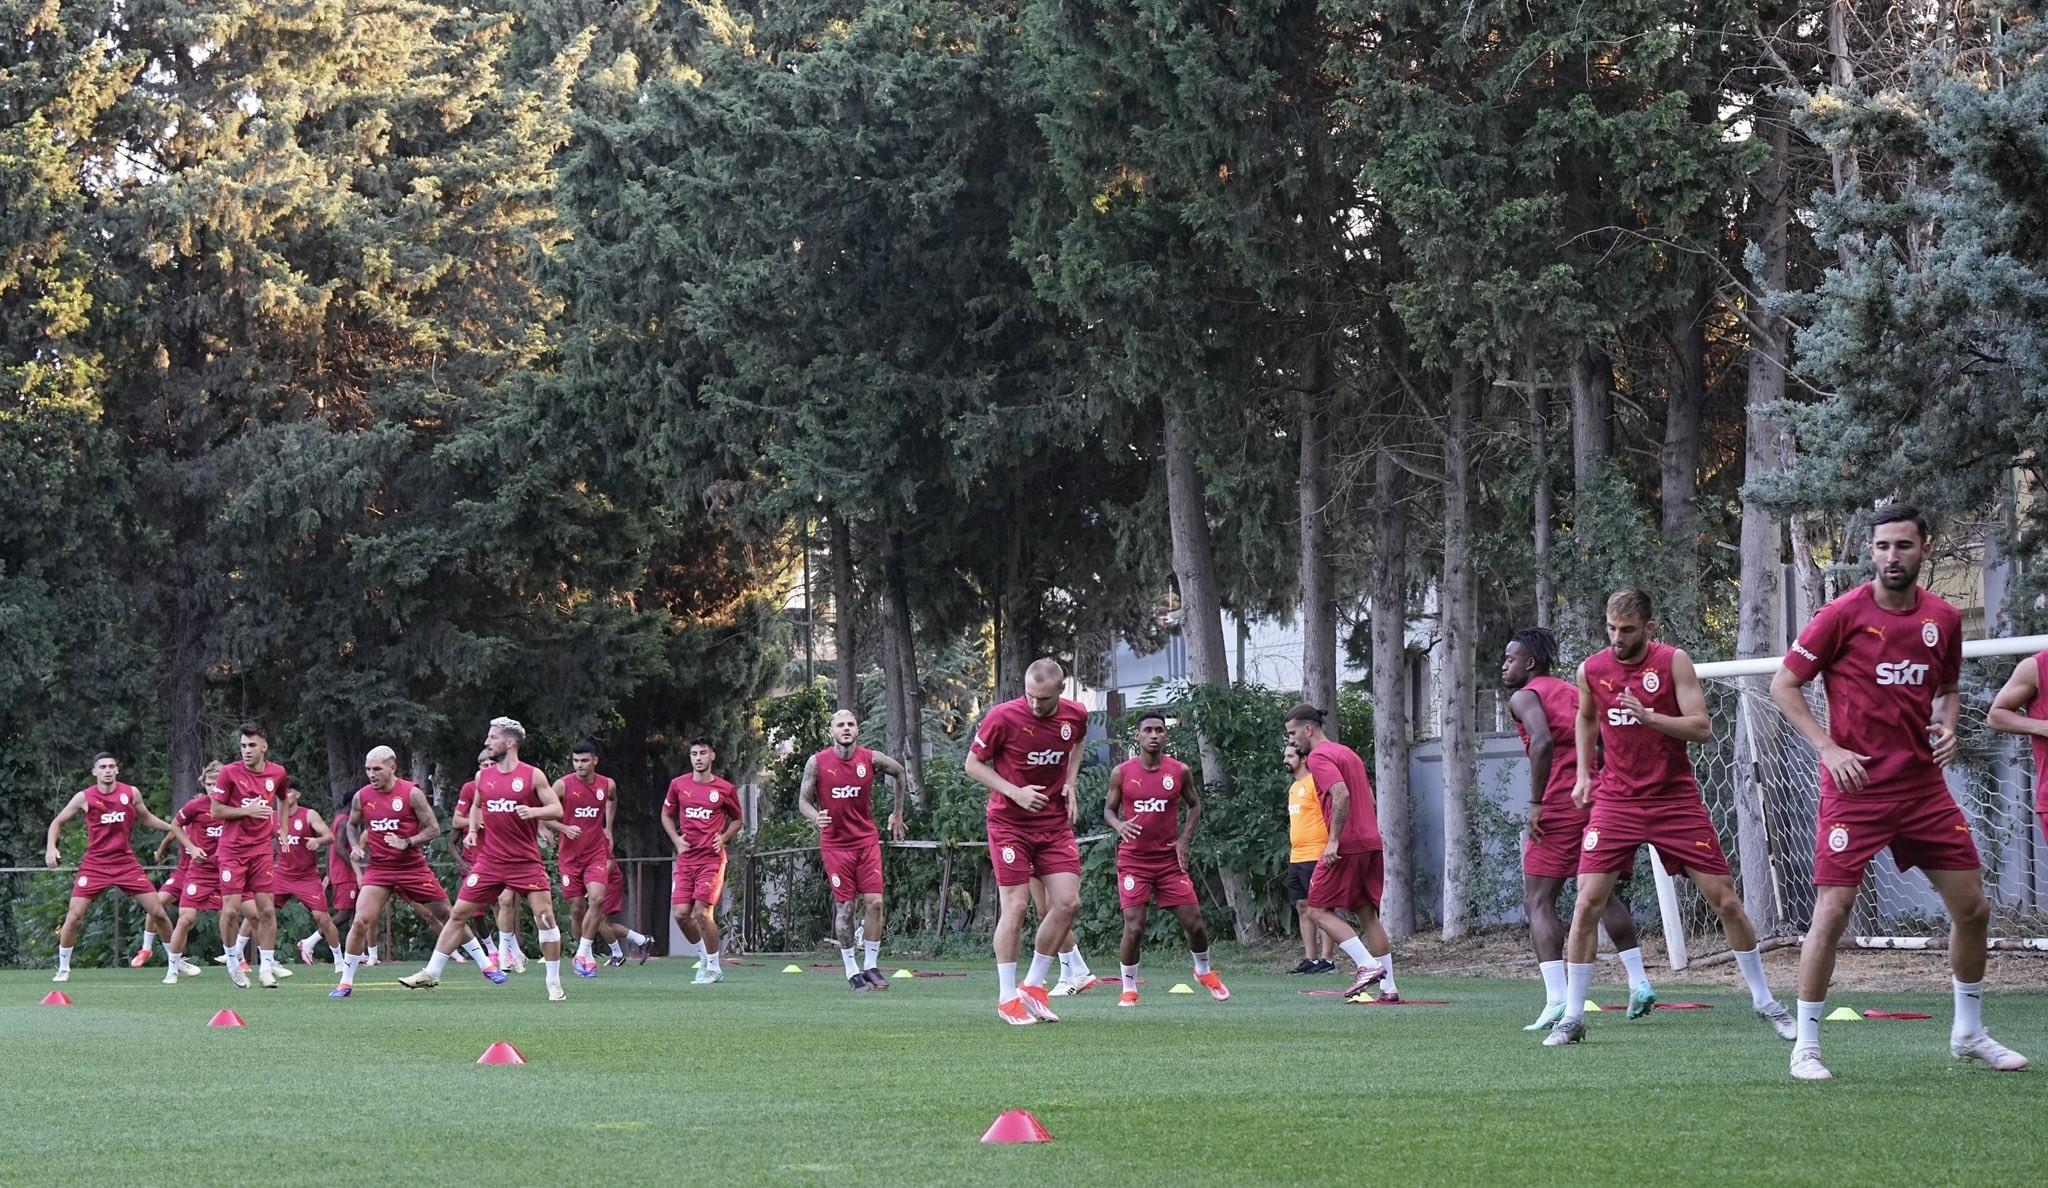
(245,796)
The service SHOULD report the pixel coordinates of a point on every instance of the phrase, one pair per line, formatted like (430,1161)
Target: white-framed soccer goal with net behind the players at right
(1764,788)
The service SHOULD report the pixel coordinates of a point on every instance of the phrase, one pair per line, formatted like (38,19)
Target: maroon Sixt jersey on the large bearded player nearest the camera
(1881,673)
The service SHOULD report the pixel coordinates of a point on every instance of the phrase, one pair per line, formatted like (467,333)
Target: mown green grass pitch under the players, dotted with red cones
(796,1080)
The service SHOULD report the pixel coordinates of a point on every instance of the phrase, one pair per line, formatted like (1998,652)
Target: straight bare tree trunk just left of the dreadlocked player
(1461,656)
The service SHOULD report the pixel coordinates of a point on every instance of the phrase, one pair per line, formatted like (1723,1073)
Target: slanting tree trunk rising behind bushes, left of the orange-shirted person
(1201,603)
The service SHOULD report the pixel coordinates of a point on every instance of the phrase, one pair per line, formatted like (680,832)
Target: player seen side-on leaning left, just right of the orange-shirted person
(1353,869)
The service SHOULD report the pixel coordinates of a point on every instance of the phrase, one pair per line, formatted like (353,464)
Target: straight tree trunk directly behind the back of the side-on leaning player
(1392,689)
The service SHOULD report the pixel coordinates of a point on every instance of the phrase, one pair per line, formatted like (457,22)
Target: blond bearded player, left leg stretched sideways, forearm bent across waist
(513,802)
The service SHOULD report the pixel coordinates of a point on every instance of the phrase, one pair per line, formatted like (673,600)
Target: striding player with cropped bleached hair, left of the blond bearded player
(390,829)
